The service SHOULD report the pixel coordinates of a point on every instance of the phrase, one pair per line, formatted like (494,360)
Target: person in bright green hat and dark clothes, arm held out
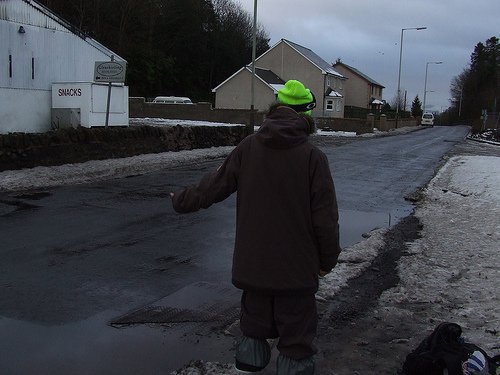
(287,232)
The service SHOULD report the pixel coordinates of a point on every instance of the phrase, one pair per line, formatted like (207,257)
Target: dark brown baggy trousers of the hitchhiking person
(293,319)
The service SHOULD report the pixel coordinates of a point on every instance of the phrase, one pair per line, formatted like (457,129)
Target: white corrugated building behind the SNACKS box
(37,50)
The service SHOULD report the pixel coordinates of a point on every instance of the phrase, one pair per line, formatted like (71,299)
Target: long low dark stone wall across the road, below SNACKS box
(27,150)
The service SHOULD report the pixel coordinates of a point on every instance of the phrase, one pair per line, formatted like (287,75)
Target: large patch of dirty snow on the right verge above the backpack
(452,272)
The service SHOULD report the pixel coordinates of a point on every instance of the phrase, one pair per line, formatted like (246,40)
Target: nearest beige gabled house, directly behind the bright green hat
(285,60)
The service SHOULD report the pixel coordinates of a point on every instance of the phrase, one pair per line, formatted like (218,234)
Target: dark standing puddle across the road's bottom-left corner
(93,347)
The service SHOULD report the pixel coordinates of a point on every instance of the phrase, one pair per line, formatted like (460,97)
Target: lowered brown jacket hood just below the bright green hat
(283,128)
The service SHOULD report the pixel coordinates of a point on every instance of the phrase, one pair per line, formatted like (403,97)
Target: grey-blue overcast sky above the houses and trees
(366,35)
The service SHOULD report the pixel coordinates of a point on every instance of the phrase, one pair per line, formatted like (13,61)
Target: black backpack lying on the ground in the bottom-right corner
(444,349)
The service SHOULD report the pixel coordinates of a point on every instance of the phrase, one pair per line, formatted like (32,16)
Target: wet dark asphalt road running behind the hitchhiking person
(77,259)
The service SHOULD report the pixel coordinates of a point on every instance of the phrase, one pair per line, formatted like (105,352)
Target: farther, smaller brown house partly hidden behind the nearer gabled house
(361,90)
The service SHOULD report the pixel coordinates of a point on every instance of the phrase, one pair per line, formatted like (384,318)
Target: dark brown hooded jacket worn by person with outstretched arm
(287,217)
